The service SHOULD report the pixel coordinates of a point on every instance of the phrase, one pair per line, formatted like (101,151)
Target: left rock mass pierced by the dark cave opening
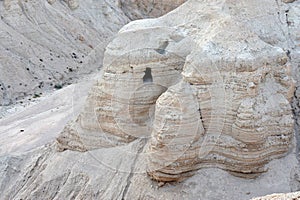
(123,105)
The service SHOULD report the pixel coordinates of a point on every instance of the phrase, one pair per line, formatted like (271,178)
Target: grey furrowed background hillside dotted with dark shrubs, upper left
(44,45)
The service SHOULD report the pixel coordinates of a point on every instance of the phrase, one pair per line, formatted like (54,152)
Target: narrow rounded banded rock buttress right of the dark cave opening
(175,140)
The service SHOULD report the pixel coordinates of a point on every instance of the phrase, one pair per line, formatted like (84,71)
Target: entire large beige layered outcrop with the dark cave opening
(209,89)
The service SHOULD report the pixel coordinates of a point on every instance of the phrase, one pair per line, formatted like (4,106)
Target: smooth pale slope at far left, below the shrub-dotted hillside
(40,122)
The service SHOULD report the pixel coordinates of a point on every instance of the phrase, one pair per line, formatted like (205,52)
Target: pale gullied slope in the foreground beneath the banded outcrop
(116,173)
